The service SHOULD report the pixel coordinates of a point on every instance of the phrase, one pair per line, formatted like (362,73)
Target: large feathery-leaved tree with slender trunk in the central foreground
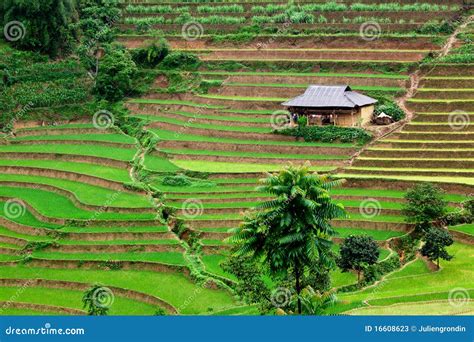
(293,230)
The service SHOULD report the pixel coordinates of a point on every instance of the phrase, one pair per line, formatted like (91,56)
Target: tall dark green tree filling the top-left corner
(45,26)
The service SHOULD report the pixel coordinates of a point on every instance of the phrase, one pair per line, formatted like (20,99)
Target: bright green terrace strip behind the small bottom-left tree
(72,299)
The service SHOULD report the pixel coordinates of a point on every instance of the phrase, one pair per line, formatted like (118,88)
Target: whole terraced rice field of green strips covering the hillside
(72,219)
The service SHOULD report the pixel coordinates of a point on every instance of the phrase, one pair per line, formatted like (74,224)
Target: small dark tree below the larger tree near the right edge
(436,240)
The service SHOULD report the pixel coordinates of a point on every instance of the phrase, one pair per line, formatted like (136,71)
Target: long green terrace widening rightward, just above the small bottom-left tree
(174,288)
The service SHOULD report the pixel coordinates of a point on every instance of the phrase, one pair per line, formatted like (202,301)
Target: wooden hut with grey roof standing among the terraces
(332,105)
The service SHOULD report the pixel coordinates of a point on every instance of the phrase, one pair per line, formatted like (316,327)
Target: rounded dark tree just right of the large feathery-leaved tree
(358,252)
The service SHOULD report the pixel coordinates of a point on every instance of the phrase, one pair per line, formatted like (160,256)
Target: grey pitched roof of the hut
(330,96)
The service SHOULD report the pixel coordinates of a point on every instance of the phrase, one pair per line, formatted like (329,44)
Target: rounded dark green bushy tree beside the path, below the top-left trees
(114,80)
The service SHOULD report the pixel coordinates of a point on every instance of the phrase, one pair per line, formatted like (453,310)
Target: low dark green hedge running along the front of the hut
(328,134)
